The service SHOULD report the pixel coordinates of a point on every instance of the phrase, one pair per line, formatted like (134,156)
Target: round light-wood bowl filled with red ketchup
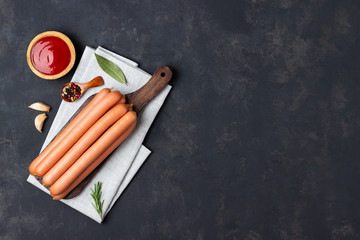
(51,55)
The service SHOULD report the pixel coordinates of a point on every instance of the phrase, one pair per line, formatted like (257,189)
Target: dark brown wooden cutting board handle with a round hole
(151,89)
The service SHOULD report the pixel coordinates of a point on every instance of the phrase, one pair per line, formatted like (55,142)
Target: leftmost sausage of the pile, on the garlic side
(68,129)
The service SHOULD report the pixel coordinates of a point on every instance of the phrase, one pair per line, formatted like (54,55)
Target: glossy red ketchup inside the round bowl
(50,55)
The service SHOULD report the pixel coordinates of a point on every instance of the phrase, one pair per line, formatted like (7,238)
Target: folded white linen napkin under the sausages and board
(121,166)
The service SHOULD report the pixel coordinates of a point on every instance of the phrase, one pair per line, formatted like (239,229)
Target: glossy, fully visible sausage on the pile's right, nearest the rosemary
(90,155)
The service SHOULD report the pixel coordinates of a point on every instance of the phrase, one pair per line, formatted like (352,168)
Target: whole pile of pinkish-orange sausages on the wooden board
(88,139)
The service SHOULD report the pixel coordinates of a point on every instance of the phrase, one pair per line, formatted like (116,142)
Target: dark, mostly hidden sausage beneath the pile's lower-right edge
(96,163)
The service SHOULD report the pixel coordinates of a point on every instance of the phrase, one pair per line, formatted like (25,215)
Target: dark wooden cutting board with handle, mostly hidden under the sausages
(139,99)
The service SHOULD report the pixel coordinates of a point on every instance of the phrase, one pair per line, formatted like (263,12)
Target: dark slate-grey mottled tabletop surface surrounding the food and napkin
(259,138)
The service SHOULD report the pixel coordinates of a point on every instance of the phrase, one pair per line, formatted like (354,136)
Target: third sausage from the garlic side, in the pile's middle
(84,143)
